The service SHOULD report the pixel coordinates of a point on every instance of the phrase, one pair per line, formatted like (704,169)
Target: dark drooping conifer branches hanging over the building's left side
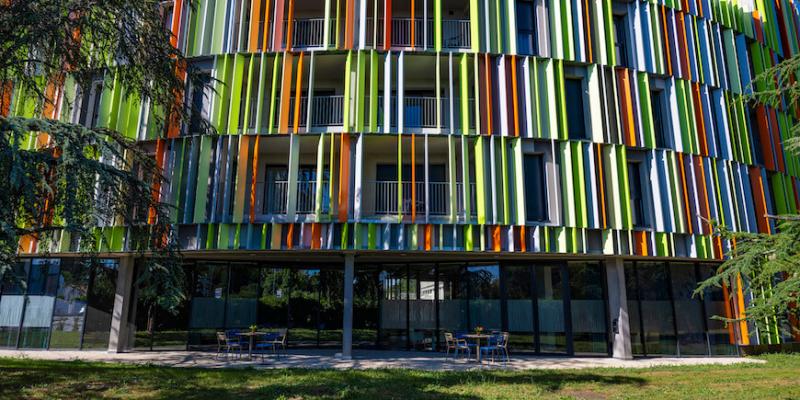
(66,177)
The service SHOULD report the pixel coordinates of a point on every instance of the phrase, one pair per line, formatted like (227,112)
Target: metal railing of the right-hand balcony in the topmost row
(455,33)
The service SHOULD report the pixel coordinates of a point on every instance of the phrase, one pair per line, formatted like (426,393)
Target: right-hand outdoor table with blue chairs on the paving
(493,344)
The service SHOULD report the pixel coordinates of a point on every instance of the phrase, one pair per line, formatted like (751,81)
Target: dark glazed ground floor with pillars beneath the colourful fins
(346,302)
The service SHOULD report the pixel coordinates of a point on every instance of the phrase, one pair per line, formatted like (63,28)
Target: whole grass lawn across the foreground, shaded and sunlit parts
(779,378)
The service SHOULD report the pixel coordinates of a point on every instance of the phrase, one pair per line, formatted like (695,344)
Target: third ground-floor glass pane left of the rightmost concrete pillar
(519,307)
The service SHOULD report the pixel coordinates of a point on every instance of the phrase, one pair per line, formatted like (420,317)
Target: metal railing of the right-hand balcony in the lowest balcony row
(386,198)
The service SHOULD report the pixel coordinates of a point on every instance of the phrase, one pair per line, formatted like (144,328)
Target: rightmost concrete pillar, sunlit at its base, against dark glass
(618,310)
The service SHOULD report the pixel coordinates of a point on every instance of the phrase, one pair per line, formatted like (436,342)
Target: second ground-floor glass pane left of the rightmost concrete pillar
(550,301)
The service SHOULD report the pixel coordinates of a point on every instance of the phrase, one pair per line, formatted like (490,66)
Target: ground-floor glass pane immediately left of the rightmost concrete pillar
(588,308)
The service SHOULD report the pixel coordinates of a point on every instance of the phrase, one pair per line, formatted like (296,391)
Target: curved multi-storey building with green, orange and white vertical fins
(385,171)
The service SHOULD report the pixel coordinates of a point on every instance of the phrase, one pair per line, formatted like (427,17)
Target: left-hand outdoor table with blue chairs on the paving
(237,342)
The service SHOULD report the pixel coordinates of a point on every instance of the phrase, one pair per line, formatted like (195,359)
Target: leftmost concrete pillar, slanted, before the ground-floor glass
(118,339)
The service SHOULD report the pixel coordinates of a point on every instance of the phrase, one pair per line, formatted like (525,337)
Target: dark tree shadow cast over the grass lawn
(48,379)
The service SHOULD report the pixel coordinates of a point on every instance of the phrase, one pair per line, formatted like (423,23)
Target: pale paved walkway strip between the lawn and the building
(363,359)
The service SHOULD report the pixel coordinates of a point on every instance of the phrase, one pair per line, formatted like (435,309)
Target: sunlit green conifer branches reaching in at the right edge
(769,264)
